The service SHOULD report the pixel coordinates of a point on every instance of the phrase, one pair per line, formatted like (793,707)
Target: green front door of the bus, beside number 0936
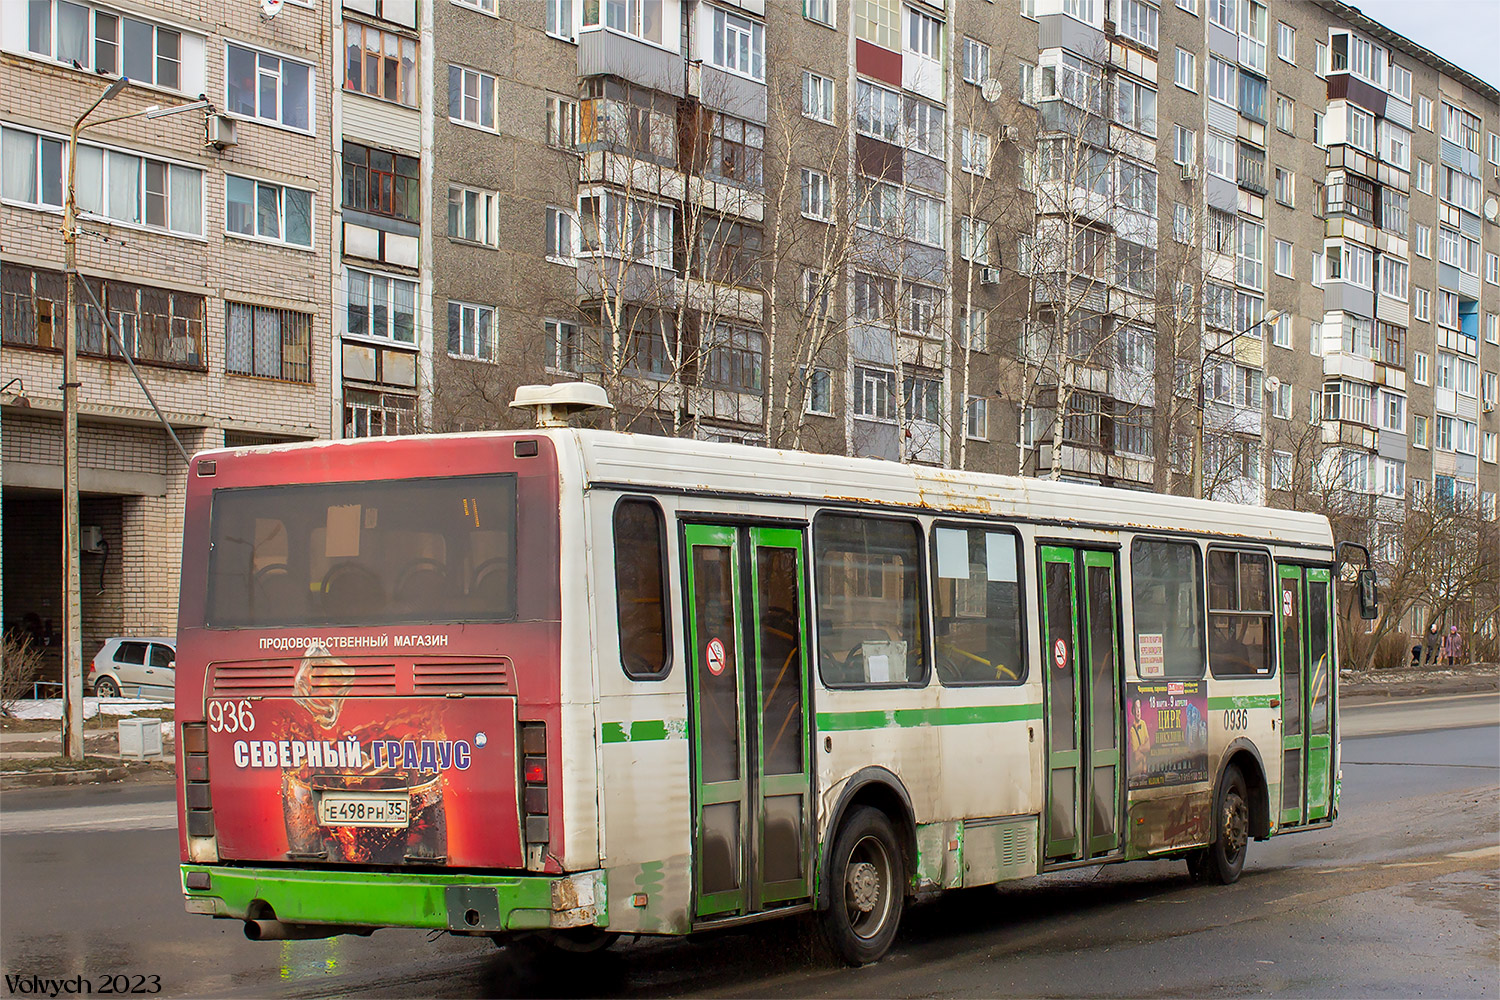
(1307,693)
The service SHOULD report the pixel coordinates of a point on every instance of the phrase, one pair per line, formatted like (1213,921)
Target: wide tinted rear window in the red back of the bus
(349,554)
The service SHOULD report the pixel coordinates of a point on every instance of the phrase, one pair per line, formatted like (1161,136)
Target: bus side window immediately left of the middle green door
(977,609)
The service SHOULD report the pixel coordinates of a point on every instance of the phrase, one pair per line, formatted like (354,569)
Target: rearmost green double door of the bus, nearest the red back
(748,690)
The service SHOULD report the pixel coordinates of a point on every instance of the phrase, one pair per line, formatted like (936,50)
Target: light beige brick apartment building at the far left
(203,238)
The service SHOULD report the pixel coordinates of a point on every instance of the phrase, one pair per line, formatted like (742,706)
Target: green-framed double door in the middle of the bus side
(1081,627)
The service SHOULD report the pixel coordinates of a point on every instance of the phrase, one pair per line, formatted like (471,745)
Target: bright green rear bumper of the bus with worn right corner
(365,899)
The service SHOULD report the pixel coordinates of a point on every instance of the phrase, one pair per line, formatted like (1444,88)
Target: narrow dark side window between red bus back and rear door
(640,588)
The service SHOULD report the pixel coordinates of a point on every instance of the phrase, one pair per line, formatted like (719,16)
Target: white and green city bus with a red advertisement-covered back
(574,684)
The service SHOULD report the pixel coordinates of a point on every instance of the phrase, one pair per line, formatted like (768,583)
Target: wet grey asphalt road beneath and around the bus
(1399,899)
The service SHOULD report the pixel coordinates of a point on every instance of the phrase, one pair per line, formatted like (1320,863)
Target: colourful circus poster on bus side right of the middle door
(1166,723)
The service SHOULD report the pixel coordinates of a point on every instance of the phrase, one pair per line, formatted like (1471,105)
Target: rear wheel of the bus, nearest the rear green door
(868,884)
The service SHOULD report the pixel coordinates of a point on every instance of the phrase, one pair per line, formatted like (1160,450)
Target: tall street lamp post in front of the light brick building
(73,605)
